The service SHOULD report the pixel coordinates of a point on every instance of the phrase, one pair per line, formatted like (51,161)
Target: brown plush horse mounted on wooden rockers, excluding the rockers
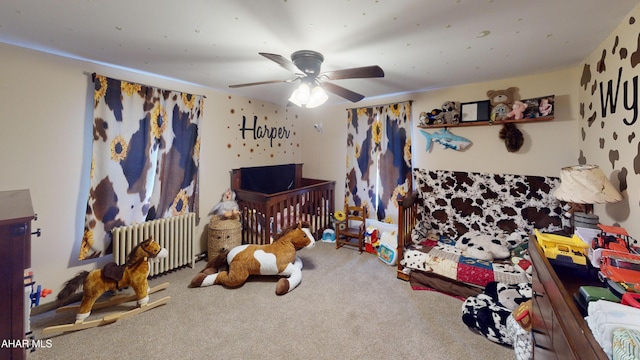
(112,277)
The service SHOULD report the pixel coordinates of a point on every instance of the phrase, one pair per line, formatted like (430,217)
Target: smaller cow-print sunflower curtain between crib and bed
(378,158)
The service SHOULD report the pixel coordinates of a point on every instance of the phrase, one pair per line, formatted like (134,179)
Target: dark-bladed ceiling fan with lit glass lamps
(305,64)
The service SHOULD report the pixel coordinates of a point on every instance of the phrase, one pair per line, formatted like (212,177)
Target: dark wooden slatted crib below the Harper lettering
(272,197)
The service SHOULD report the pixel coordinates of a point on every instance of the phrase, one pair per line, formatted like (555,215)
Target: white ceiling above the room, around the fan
(420,44)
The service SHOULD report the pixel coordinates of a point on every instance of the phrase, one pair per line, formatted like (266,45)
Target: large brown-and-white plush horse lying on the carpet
(277,258)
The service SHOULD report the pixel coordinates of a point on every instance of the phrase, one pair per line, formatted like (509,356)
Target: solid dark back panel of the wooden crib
(267,179)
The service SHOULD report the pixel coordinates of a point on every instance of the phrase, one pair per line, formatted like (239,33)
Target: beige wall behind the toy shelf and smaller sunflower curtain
(548,146)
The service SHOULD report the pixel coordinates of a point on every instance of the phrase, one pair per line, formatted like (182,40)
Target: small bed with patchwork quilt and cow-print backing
(450,211)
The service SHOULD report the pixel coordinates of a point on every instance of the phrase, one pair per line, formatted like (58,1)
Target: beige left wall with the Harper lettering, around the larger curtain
(45,146)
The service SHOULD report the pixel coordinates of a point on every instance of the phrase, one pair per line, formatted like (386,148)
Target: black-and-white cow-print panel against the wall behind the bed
(455,202)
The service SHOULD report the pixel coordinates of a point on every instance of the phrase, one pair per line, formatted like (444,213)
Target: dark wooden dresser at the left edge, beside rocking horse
(16,214)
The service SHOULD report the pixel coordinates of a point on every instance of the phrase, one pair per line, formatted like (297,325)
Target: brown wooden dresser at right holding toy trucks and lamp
(559,331)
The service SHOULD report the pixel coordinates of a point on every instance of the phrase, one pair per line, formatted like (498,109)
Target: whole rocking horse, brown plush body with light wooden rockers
(112,277)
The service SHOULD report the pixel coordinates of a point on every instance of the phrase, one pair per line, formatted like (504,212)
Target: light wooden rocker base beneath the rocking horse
(109,319)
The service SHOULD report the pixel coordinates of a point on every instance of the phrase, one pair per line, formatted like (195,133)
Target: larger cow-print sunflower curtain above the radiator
(145,160)
